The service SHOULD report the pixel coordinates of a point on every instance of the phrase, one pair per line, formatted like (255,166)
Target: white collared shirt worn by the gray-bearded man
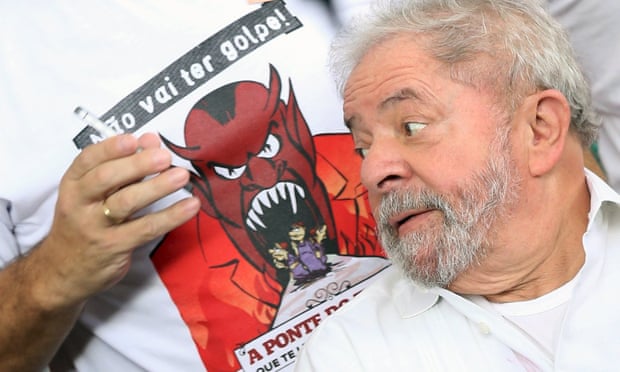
(394,325)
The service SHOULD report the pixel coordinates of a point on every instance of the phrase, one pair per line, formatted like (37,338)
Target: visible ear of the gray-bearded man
(548,115)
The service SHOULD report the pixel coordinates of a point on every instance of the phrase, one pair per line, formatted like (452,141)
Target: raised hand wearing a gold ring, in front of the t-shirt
(89,246)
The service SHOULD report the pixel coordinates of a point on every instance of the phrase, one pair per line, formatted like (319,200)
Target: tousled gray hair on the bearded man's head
(513,46)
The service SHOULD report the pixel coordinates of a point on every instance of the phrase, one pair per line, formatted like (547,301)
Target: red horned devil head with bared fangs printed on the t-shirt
(255,160)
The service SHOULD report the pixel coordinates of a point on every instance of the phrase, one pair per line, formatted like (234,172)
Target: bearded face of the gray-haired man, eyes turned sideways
(438,170)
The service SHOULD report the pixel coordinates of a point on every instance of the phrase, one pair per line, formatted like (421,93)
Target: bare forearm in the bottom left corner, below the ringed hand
(33,321)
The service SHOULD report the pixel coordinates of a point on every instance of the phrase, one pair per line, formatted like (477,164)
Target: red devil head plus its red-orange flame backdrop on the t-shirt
(255,168)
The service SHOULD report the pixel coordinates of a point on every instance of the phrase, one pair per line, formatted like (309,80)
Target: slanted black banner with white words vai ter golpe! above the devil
(194,68)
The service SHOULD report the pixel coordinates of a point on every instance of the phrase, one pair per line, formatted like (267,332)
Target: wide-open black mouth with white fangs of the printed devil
(273,210)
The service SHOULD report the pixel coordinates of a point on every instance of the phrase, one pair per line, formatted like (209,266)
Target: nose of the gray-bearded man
(386,165)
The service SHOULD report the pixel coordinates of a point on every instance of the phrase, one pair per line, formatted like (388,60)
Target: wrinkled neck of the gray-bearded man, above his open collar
(528,266)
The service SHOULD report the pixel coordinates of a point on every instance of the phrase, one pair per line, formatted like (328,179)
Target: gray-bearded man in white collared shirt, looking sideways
(471,117)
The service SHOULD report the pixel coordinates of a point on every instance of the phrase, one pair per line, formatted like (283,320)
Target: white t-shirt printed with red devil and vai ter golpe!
(192,300)
